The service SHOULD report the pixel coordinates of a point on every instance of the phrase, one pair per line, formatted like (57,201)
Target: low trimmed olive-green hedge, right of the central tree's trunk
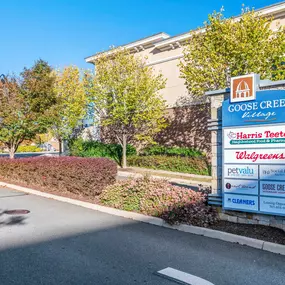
(193,165)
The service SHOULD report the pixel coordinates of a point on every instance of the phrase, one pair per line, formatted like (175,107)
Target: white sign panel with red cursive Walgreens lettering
(256,156)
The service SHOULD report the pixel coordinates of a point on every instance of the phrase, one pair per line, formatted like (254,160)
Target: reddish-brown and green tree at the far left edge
(25,104)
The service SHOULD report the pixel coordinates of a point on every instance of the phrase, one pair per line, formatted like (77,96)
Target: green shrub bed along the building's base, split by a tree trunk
(176,159)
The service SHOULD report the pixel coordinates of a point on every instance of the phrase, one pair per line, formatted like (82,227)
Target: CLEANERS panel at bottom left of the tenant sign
(241,202)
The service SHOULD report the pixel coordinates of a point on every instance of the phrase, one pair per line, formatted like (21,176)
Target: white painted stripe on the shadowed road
(183,277)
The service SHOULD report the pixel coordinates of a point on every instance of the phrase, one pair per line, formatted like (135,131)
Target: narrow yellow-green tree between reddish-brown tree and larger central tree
(71,104)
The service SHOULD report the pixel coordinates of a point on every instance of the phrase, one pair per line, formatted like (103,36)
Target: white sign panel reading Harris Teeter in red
(255,137)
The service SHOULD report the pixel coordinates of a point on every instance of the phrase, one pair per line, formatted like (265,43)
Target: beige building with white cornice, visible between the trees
(164,53)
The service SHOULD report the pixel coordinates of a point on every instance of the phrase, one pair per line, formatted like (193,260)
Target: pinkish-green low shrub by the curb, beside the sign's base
(160,198)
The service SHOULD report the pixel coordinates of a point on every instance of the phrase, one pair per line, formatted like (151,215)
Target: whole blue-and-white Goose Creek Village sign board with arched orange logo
(254,148)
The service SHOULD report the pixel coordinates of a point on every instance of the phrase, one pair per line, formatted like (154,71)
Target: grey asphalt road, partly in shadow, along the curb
(58,243)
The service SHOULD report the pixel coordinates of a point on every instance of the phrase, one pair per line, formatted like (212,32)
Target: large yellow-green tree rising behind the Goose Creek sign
(232,47)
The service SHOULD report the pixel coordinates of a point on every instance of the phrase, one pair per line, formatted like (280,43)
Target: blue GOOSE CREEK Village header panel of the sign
(268,108)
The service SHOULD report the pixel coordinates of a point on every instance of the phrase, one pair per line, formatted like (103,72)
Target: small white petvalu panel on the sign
(241,171)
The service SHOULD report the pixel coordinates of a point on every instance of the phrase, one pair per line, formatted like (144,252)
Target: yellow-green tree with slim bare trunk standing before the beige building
(126,97)
